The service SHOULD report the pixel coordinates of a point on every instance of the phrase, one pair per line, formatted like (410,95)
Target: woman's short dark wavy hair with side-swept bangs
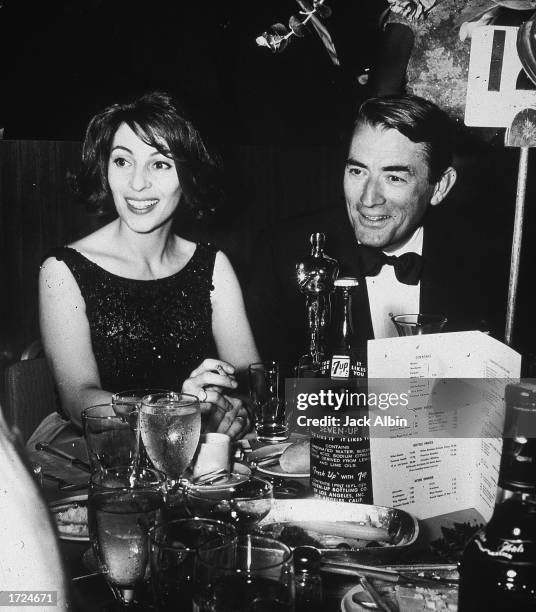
(155,119)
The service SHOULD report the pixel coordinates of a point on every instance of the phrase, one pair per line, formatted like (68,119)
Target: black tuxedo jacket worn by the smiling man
(464,277)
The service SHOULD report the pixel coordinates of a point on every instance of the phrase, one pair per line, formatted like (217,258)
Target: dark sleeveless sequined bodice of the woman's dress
(147,333)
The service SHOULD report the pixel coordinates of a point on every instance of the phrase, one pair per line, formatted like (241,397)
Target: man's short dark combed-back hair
(418,120)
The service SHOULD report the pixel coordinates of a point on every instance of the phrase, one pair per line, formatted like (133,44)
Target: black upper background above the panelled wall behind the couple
(62,61)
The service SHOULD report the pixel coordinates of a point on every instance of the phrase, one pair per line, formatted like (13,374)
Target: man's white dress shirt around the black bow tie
(388,296)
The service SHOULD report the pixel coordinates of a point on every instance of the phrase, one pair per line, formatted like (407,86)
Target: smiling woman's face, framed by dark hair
(144,183)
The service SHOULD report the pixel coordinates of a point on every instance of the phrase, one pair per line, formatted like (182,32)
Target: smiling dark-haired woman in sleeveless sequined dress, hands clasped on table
(134,305)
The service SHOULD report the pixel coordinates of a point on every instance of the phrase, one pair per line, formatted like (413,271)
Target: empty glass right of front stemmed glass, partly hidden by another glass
(173,550)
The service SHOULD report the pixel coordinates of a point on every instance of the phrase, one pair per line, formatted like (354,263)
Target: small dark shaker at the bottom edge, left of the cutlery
(307,579)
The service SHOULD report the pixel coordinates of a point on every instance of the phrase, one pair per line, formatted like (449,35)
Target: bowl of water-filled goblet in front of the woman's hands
(170,426)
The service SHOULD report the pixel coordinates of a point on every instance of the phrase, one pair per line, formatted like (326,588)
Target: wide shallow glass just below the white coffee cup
(235,498)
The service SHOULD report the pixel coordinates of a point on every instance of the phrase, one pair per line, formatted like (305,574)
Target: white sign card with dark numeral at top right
(493,97)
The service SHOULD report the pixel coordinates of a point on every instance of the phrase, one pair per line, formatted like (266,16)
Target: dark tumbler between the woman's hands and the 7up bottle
(267,393)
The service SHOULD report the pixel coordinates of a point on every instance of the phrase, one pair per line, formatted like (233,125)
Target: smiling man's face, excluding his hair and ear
(386,186)
